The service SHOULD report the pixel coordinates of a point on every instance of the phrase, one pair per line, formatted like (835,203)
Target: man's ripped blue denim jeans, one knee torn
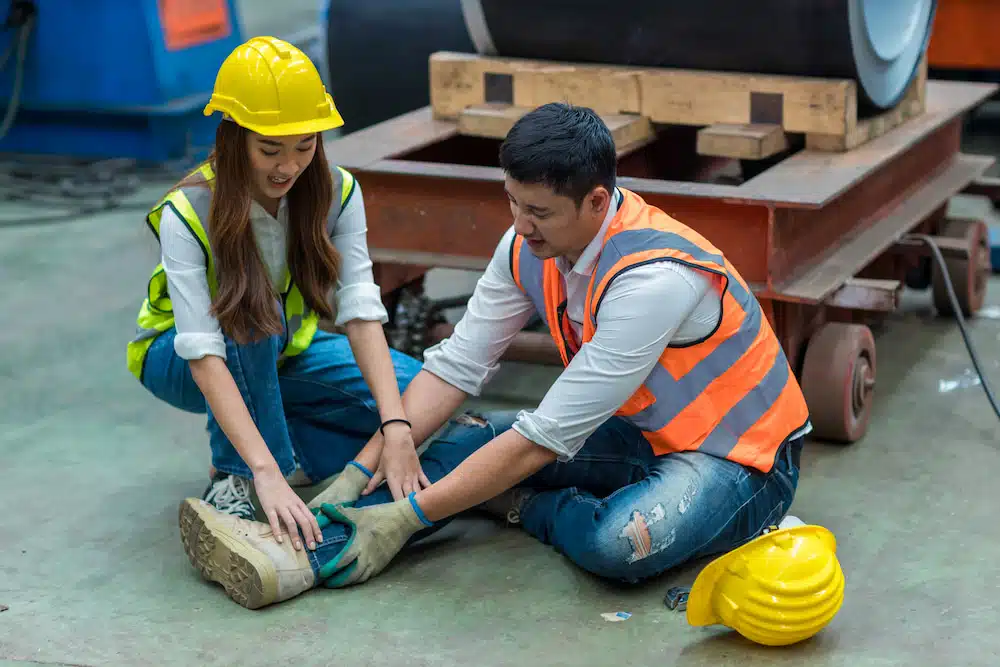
(617,510)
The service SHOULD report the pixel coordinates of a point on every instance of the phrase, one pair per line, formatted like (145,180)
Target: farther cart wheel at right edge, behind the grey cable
(969,275)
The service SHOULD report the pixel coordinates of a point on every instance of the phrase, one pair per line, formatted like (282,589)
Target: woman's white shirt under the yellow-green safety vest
(198,332)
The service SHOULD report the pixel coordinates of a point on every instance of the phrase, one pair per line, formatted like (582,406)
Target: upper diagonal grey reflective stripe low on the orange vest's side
(673,395)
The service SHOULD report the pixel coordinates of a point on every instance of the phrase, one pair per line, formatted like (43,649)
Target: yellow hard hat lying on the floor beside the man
(778,589)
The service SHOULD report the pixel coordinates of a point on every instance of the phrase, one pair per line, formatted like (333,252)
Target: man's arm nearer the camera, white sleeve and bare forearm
(640,314)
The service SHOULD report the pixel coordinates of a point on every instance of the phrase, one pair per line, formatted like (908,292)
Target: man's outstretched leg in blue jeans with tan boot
(256,571)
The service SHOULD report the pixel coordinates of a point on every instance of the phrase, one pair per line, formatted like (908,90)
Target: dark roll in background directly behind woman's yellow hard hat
(377,53)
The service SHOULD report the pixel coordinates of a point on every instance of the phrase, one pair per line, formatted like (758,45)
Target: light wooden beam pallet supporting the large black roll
(741,115)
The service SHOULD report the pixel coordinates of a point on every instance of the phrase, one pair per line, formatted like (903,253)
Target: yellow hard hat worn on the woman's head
(272,88)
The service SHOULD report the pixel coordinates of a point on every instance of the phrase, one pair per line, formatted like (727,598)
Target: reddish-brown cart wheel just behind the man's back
(838,381)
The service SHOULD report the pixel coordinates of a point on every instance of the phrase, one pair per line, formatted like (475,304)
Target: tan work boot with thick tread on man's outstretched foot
(242,556)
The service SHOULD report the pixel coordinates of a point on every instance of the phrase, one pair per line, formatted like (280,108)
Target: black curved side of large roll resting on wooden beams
(792,37)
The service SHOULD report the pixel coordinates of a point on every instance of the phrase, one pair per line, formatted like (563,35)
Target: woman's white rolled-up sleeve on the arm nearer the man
(358,297)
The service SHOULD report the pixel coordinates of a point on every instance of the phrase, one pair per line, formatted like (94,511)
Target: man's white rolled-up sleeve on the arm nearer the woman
(496,312)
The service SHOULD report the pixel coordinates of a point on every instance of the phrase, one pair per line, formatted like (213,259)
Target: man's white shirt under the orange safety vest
(643,310)
